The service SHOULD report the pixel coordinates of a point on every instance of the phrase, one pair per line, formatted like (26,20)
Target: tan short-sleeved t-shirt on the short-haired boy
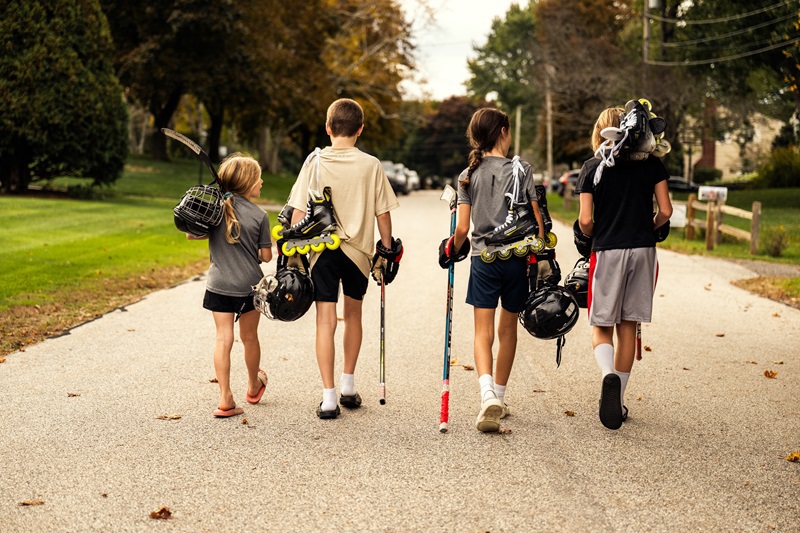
(360,191)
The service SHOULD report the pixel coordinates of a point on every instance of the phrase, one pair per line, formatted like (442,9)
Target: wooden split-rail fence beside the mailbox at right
(714,225)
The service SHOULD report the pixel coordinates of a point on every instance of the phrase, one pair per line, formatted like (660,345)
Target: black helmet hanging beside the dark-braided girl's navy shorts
(550,312)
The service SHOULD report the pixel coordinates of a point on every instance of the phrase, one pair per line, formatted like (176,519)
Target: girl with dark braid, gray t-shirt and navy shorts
(483,187)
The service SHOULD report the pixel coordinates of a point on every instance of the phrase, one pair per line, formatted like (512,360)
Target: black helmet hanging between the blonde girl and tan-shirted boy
(285,296)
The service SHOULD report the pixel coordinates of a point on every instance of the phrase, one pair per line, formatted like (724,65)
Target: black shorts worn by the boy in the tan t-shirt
(332,267)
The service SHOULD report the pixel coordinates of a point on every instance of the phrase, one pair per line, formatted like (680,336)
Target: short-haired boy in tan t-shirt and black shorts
(360,193)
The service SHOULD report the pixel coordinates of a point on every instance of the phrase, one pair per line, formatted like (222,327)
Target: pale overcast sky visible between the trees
(444,47)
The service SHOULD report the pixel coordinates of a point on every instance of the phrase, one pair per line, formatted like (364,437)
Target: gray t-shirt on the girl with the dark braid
(486,194)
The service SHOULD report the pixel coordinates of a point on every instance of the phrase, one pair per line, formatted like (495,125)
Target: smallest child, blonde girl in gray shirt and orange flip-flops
(237,248)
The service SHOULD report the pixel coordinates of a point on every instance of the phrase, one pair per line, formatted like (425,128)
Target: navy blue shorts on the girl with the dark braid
(503,280)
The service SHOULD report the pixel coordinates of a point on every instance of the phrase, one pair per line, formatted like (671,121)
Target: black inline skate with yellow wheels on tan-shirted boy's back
(314,233)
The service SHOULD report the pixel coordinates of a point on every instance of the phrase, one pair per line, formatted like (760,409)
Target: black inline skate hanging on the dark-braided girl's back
(517,235)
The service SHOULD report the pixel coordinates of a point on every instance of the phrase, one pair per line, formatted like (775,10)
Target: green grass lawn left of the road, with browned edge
(64,260)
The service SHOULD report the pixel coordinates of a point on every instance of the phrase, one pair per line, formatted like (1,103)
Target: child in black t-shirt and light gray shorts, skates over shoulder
(618,230)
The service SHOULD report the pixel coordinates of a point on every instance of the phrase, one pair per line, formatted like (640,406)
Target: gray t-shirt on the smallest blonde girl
(235,267)
